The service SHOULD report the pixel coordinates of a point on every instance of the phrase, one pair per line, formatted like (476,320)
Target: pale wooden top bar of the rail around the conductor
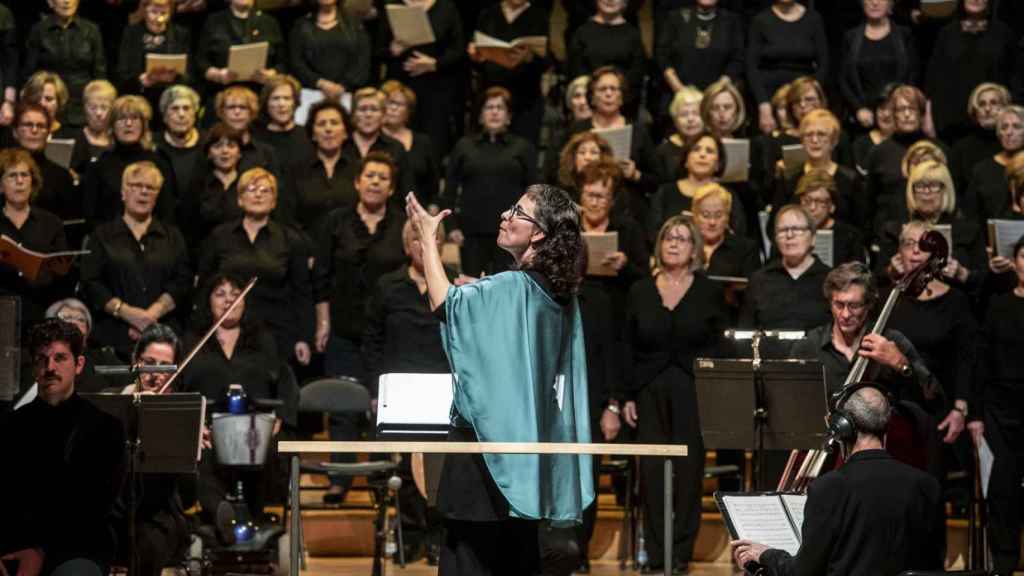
(484,448)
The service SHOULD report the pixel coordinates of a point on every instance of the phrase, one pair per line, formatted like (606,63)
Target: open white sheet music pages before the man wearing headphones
(773,519)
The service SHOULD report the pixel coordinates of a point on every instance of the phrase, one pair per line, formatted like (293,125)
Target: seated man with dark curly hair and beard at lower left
(64,467)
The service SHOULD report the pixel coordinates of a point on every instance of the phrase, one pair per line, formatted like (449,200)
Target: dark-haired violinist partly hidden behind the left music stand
(161,528)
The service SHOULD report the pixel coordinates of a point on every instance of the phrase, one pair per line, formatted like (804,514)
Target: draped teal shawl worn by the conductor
(521,376)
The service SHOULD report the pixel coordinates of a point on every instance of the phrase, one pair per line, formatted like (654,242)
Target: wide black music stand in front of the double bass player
(772,405)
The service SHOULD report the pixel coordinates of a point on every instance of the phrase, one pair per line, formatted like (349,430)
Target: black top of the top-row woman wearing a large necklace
(702,50)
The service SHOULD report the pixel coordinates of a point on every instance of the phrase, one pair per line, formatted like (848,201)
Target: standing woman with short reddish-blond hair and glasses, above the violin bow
(258,245)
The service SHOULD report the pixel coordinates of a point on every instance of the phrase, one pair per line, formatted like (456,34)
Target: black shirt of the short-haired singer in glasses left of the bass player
(777,301)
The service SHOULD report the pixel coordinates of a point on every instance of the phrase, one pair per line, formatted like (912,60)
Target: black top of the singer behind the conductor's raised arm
(402,336)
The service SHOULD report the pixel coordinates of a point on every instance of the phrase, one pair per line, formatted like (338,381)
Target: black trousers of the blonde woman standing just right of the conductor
(668,415)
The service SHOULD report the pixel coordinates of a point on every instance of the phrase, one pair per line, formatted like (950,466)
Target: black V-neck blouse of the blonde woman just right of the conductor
(658,339)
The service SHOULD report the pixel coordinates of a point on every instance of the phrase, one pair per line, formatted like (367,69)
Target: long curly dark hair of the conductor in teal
(560,256)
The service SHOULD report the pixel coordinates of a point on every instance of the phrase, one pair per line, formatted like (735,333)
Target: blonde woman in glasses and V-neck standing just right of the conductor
(673,317)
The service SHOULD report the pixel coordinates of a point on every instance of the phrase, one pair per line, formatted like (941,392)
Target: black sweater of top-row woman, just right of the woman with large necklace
(780,52)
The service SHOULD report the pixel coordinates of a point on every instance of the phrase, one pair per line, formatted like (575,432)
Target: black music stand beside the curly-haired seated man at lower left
(162,436)
